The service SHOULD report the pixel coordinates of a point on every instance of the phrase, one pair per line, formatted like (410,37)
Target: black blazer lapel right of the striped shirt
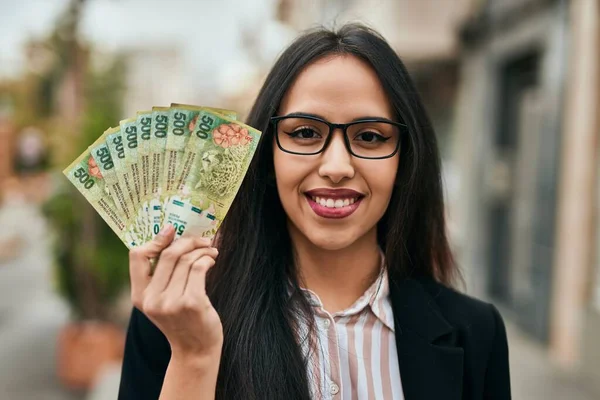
(431,363)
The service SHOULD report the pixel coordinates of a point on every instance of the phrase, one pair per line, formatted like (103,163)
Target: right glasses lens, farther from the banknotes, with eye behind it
(373,139)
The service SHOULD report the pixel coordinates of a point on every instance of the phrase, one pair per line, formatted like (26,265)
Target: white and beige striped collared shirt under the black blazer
(354,353)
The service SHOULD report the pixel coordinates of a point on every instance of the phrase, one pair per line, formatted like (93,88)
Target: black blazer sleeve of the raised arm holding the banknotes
(146,358)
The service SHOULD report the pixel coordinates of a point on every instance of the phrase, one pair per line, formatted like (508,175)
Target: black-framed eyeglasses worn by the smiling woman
(373,138)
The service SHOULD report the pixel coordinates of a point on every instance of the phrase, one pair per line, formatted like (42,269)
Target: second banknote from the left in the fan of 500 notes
(101,154)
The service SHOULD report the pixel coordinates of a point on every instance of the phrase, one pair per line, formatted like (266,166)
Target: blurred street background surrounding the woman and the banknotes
(513,90)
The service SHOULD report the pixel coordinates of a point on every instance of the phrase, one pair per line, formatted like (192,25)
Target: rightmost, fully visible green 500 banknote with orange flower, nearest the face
(213,166)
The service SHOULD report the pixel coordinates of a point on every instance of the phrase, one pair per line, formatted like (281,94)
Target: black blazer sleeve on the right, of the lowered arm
(497,376)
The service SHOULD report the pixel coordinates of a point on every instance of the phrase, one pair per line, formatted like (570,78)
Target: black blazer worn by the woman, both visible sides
(450,347)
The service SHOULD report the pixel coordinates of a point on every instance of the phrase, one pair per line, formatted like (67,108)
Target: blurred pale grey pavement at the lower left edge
(31,314)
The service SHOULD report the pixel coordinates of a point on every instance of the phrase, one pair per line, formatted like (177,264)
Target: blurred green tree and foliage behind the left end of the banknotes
(81,100)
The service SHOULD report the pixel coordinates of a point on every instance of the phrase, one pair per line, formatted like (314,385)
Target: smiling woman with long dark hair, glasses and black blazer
(333,276)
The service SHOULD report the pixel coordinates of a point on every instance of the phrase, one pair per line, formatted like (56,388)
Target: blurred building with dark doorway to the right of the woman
(526,138)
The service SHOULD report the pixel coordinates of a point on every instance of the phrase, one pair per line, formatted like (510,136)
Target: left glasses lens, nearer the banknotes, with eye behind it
(301,135)
